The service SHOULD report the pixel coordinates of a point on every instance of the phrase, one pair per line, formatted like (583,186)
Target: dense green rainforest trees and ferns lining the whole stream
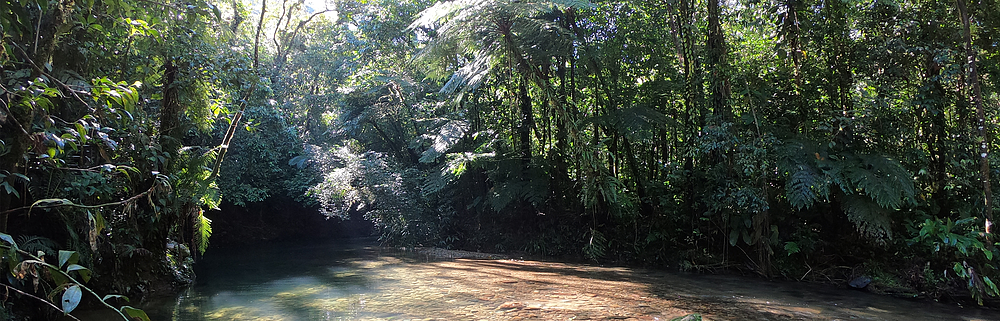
(787,138)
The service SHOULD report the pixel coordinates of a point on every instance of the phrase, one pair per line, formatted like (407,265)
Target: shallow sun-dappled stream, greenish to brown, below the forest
(355,282)
